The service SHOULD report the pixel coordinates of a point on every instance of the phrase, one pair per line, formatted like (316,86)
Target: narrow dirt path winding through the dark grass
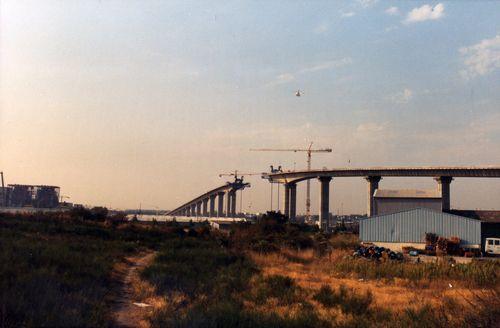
(125,312)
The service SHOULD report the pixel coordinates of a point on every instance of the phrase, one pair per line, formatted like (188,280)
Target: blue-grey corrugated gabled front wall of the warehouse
(411,227)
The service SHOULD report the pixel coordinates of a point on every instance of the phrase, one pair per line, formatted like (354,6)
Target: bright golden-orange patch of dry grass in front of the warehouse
(311,274)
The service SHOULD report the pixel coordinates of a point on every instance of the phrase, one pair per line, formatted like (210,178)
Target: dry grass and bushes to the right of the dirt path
(282,285)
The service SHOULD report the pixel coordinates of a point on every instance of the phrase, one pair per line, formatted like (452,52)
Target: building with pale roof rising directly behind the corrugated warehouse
(392,201)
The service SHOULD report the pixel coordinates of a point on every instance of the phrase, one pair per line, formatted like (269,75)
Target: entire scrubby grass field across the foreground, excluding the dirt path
(58,271)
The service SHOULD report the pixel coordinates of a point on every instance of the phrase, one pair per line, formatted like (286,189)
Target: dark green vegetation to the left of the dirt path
(56,270)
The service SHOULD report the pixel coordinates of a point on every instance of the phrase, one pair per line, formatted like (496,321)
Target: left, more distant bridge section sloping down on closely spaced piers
(204,205)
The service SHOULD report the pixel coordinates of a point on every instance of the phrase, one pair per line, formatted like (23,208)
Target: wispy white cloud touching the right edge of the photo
(481,58)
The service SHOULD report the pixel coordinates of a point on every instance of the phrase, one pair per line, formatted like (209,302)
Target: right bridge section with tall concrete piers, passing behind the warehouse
(442,174)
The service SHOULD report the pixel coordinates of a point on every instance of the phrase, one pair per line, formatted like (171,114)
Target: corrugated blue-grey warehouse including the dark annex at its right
(409,227)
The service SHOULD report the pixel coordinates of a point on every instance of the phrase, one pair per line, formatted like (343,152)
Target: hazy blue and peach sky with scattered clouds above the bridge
(124,103)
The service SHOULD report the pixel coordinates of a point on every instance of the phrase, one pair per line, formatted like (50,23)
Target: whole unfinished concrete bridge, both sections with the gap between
(443,175)
